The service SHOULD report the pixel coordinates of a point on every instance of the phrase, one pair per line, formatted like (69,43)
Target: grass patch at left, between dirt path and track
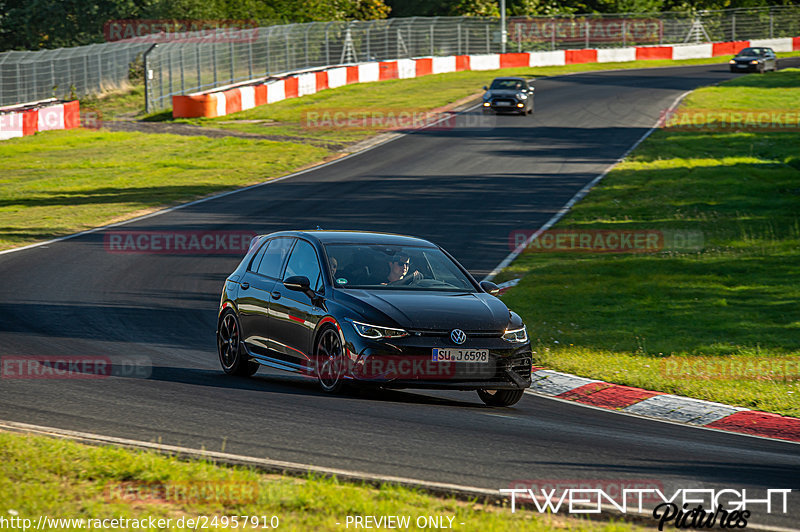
(59,182)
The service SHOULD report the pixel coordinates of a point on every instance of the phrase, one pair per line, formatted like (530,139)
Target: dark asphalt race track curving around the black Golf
(464,188)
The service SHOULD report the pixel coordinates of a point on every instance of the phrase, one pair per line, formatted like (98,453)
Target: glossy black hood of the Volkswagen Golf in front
(433,310)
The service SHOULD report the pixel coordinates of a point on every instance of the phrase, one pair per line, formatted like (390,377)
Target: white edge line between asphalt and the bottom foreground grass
(267,464)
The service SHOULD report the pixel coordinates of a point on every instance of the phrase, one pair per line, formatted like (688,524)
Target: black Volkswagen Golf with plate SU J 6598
(370,308)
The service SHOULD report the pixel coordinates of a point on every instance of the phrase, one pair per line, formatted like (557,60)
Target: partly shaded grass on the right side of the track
(616,317)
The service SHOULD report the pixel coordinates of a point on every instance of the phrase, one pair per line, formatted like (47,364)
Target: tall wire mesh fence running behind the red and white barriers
(182,63)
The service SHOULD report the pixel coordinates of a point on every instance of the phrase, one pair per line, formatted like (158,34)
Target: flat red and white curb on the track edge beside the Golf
(663,406)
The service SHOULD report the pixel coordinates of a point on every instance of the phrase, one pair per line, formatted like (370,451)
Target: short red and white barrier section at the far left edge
(27,119)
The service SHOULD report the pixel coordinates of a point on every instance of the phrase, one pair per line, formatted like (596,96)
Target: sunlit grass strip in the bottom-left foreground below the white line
(48,477)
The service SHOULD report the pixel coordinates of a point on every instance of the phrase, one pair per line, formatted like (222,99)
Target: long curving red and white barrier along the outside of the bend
(230,100)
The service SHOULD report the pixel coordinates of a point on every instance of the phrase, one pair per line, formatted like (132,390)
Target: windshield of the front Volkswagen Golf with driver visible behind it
(395,267)
